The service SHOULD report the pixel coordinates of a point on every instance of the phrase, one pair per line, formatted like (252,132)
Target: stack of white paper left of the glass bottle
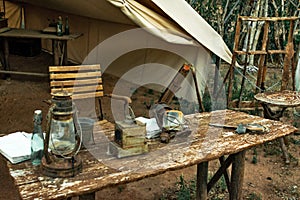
(16,147)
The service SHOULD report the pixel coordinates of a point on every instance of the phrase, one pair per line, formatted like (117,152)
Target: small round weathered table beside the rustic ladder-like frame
(282,99)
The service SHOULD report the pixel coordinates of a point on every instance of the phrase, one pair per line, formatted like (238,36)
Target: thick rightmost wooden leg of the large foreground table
(237,176)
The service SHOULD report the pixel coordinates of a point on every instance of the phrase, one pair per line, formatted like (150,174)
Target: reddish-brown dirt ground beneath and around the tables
(266,175)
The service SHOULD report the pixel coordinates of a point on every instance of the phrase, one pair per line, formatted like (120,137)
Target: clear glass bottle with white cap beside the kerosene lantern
(37,139)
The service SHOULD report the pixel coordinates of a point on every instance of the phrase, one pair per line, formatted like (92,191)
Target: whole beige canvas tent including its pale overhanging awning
(145,41)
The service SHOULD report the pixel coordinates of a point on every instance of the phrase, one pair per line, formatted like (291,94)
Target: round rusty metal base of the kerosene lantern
(60,167)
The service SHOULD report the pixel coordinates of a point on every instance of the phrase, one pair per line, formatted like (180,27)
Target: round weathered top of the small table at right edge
(284,98)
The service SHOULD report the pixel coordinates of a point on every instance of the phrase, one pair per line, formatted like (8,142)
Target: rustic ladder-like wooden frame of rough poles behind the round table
(263,52)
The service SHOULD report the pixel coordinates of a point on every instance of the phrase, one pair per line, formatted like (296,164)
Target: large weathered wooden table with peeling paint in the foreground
(204,143)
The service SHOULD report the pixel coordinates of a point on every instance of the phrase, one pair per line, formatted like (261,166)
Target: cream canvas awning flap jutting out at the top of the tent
(185,24)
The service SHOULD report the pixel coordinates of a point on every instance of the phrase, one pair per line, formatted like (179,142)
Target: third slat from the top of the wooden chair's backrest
(65,83)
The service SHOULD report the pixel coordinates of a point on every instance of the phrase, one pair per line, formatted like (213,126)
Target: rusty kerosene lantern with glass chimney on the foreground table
(63,138)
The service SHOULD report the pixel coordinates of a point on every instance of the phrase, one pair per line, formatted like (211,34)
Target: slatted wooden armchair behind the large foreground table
(83,82)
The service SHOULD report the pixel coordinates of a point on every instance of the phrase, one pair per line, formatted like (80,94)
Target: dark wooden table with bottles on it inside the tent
(59,46)
